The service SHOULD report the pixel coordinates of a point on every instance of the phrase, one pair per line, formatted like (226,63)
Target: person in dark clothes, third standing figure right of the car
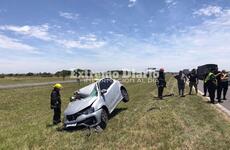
(193,81)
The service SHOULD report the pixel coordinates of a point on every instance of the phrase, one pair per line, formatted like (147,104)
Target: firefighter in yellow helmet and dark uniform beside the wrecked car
(55,103)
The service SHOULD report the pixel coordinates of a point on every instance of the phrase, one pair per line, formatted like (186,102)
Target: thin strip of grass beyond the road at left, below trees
(18,80)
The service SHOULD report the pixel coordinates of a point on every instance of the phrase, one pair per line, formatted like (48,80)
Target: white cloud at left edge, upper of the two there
(40,32)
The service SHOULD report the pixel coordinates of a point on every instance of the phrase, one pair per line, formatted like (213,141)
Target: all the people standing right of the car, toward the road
(214,81)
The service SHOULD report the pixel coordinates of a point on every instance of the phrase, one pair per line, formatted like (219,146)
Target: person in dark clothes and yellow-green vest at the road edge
(211,84)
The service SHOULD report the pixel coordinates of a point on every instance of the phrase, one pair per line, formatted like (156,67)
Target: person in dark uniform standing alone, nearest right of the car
(161,83)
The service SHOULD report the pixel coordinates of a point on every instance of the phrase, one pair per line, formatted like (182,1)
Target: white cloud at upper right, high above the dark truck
(209,11)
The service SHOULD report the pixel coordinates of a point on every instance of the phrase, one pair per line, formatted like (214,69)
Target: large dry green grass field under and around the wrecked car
(143,123)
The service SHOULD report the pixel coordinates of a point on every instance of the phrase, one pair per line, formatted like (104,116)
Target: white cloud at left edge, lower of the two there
(14,44)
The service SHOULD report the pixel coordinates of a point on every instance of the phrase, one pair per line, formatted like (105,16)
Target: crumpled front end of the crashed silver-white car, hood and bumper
(84,111)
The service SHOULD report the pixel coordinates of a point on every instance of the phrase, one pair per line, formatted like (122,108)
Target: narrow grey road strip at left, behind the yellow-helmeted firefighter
(33,84)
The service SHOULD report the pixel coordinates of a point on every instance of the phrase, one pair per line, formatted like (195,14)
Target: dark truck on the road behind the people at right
(203,70)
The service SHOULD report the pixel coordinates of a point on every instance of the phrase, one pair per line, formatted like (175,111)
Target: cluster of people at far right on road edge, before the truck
(216,81)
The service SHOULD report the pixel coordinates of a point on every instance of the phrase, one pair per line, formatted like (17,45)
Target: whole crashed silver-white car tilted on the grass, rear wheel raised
(92,104)
